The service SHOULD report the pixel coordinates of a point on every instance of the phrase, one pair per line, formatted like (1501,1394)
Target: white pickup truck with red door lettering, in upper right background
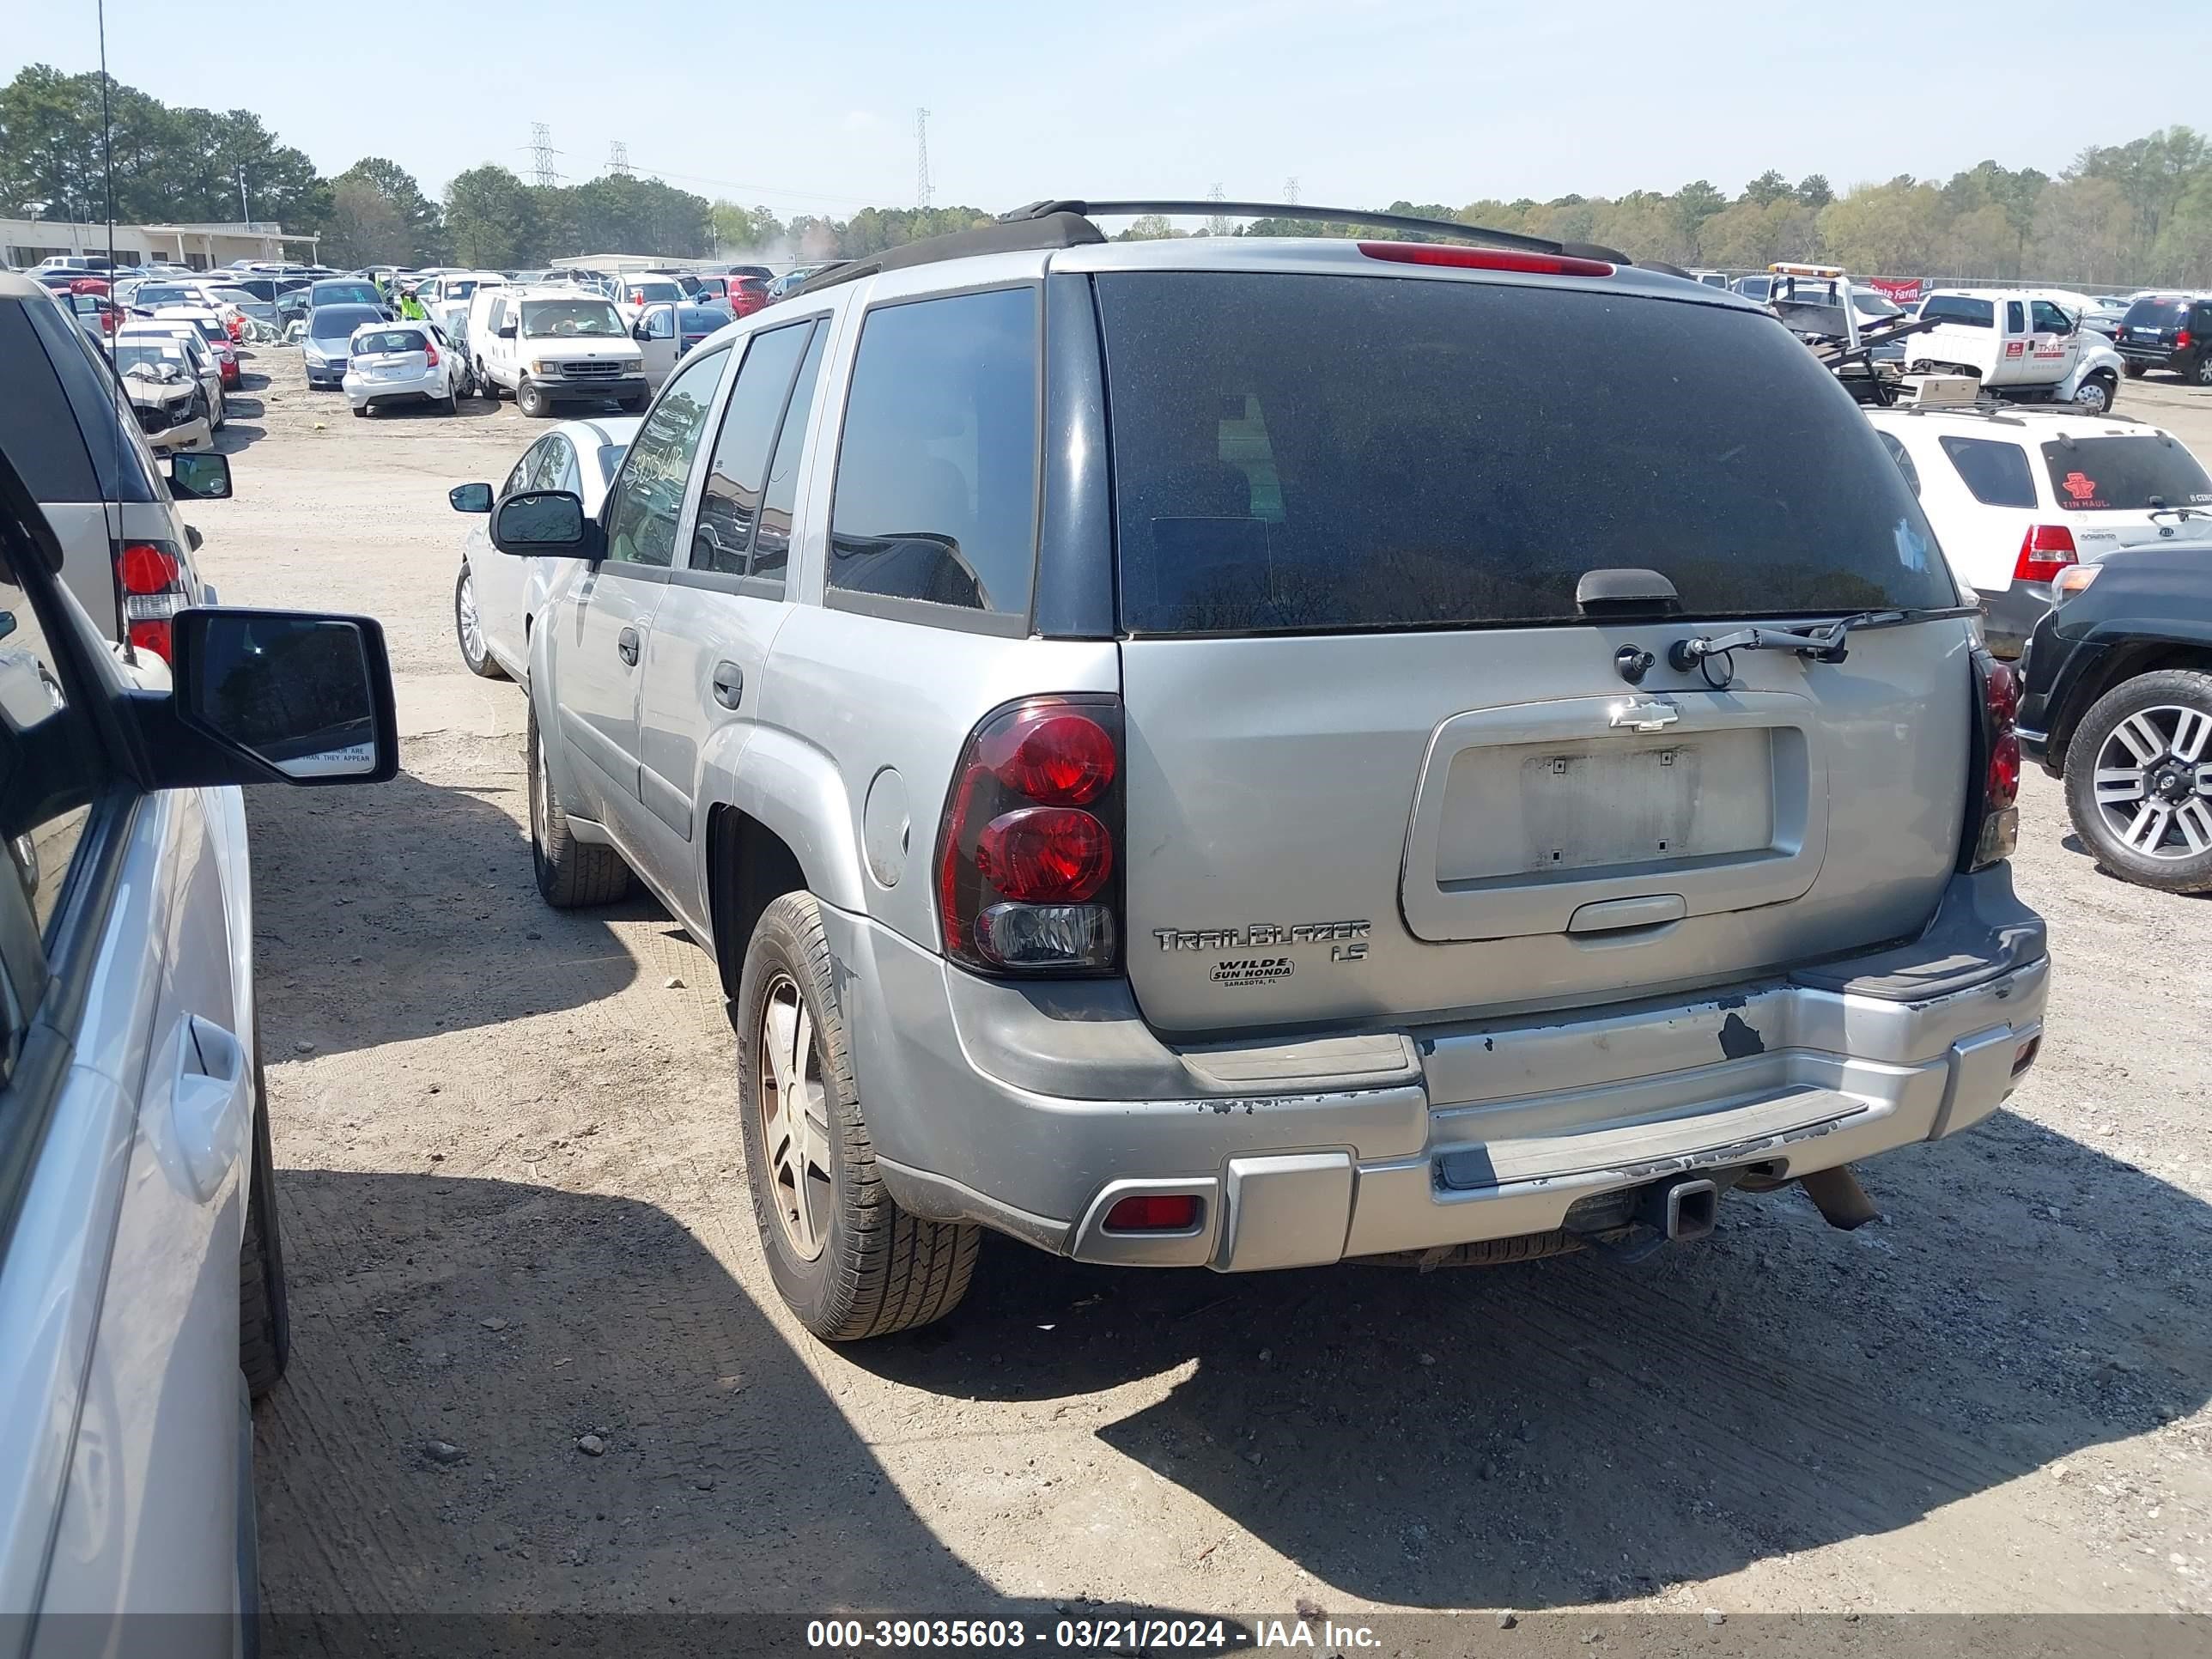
(2018,344)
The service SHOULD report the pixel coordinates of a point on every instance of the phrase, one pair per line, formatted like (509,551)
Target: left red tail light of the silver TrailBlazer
(1027,873)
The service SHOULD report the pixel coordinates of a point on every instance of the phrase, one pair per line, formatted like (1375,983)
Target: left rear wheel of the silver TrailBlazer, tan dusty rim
(873,1269)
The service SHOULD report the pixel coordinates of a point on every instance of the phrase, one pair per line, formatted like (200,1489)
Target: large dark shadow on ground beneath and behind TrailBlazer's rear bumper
(1583,1432)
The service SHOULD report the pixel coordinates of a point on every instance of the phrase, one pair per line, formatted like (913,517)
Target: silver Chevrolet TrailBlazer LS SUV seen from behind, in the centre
(1251,753)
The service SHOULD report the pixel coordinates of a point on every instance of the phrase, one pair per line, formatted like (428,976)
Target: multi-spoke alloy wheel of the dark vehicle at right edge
(2162,702)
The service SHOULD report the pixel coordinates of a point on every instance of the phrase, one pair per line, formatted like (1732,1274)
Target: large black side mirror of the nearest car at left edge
(278,693)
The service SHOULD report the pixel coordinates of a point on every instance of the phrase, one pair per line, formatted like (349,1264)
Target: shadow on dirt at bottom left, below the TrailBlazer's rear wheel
(455,1339)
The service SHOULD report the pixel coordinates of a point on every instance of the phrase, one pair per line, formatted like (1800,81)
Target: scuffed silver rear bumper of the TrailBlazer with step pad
(1036,1109)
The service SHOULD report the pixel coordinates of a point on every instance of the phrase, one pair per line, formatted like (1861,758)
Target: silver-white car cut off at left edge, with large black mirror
(140,1262)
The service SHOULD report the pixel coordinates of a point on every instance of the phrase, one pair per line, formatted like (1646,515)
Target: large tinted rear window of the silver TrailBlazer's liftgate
(1381,452)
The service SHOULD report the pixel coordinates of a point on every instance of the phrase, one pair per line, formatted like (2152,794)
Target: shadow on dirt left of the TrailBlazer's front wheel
(359,948)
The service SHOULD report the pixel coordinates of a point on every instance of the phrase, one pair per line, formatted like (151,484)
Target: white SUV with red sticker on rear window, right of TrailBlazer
(2023,497)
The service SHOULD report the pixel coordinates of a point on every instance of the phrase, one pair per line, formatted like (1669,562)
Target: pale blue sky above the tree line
(811,107)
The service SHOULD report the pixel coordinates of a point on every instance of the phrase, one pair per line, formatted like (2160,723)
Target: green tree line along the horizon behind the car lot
(2118,216)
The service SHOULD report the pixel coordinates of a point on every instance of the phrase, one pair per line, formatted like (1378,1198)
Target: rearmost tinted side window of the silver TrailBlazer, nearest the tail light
(937,481)
